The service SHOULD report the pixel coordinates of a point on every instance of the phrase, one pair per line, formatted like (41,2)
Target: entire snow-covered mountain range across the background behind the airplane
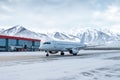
(91,35)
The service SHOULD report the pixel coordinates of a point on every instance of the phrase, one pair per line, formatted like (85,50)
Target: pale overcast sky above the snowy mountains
(60,15)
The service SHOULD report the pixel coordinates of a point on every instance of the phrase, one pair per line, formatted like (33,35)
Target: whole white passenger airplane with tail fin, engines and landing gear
(53,47)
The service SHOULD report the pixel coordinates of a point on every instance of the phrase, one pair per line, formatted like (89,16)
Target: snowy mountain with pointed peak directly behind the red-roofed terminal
(20,31)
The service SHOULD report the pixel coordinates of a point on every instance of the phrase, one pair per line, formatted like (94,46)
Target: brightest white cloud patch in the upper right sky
(111,15)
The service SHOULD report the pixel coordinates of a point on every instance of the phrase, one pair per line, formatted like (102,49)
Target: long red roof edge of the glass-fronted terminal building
(19,38)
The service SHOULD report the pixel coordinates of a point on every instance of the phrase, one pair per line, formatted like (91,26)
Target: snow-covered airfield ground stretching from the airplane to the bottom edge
(88,65)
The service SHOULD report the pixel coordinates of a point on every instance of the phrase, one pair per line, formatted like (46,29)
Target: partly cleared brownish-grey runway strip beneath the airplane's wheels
(12,56)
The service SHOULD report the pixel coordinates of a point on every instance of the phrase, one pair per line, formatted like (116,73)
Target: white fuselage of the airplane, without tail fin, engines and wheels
(60,46)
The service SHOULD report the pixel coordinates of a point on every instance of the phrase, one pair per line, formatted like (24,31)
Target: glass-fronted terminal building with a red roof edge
(12,43)
